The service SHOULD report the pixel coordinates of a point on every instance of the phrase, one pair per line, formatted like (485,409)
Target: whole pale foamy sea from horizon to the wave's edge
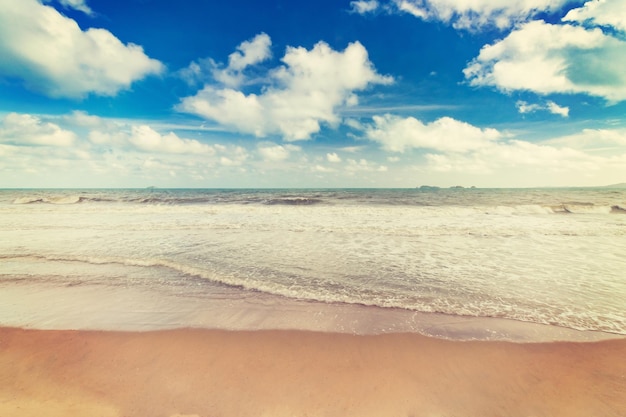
(548,256)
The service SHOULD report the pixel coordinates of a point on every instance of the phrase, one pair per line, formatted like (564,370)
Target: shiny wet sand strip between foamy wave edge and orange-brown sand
(46,306)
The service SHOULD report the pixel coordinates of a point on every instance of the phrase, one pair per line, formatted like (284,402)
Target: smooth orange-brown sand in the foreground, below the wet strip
(296,373)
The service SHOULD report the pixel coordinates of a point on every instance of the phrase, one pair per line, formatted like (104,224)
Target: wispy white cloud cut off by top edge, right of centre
(475,14)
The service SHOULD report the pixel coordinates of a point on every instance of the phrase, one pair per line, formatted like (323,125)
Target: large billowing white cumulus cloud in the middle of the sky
(299,96)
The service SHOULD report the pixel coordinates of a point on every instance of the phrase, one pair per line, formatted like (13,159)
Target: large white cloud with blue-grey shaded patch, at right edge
(547,58)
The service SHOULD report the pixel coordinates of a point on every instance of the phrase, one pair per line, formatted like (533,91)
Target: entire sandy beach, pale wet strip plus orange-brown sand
(104,351)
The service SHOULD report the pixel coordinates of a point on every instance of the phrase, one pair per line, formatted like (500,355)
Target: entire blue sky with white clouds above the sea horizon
(330,93)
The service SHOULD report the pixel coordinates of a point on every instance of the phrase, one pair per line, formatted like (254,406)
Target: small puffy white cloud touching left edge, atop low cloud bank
(26,129)
